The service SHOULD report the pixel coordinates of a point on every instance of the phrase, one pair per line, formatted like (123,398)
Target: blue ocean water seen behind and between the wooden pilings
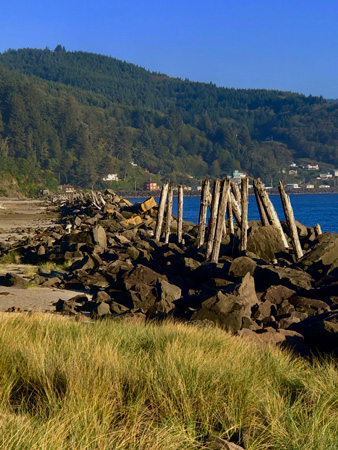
(308,209)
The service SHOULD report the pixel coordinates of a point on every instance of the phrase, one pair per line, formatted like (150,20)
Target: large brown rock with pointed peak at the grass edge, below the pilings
(228,308)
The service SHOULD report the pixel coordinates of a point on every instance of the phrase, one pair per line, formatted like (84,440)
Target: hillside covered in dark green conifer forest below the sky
(79,116)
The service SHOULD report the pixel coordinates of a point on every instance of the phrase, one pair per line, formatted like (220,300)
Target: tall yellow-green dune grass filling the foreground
(111,385)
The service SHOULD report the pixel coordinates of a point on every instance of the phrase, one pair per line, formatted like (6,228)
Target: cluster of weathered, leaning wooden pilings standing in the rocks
(227,203)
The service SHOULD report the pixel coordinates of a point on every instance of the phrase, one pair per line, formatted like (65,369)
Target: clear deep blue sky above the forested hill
(290,45)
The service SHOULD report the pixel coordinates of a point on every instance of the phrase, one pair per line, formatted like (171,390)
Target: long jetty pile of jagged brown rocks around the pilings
(105,248)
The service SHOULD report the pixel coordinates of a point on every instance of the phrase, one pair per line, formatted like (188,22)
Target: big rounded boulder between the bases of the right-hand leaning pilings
(265,242)
